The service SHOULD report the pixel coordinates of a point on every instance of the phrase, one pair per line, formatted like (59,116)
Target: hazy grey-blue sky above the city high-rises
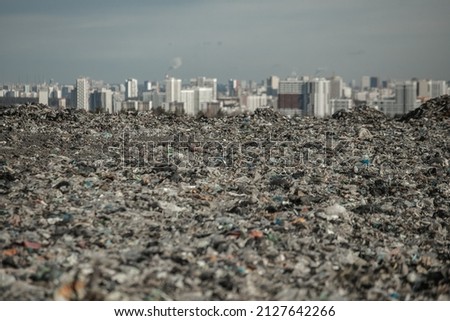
(243,39)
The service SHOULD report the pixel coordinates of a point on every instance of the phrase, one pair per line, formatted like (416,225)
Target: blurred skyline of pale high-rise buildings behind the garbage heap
(319,97)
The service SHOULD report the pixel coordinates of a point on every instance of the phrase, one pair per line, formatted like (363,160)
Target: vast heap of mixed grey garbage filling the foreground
(249,207)
